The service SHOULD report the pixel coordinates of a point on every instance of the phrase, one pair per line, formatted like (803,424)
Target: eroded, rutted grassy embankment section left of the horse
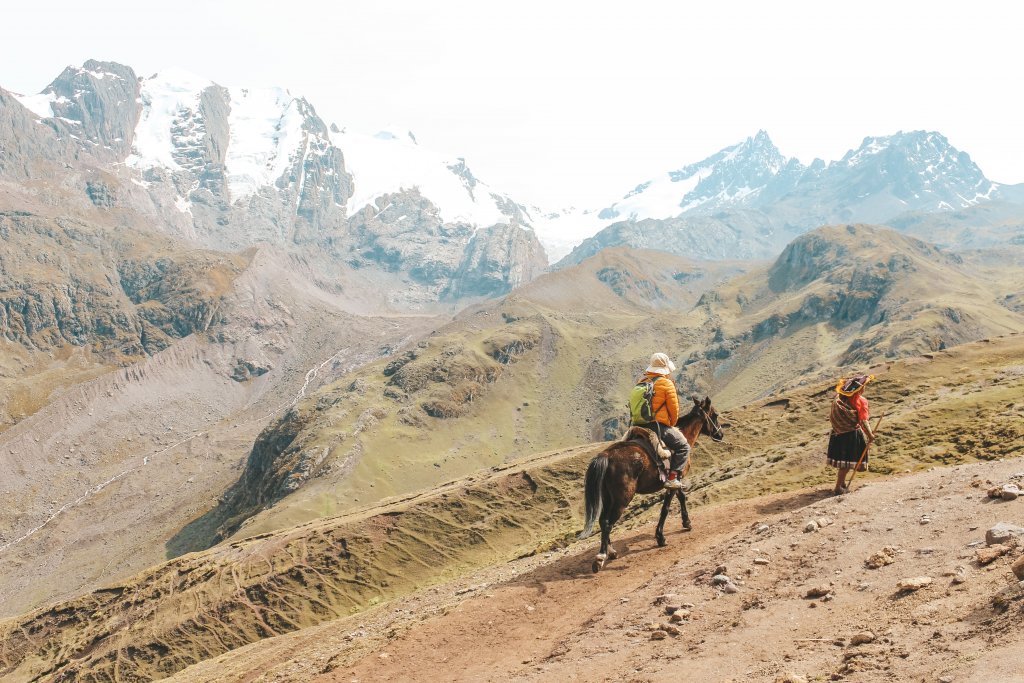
(203,605)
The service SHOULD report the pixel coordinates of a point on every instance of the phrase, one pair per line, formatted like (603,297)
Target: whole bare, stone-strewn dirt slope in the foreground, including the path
(549,619)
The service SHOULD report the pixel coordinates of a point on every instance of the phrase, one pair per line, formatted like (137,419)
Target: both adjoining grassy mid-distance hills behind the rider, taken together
(839,300)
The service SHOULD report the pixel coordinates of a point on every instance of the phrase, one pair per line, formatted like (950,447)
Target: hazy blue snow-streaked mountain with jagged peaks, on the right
(748,200)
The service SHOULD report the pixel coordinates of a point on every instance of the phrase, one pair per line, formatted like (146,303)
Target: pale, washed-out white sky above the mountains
(576,103)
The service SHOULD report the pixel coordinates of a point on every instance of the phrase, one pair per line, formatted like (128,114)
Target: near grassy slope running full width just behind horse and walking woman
(953,407)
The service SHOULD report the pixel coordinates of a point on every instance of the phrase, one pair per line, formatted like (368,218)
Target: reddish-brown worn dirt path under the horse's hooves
(541,613)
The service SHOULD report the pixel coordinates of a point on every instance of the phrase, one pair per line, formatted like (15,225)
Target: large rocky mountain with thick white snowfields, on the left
(230,167)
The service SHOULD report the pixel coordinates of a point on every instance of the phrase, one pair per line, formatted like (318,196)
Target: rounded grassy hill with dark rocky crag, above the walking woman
(843,297)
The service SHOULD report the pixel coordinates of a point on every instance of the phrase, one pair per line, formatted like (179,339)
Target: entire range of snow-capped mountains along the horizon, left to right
(230,167)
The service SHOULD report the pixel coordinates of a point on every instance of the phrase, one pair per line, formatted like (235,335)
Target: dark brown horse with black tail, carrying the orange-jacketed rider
(626,468)
